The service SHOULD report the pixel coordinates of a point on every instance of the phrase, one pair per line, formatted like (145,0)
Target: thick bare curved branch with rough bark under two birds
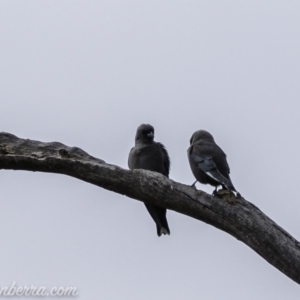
(242,219)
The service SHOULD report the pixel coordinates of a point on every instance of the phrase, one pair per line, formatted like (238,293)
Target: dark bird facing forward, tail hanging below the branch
(150,155)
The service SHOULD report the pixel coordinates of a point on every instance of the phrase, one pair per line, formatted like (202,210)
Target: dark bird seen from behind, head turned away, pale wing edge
(208,161)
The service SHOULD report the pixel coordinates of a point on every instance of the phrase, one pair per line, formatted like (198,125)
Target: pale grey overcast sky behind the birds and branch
(87,74)
